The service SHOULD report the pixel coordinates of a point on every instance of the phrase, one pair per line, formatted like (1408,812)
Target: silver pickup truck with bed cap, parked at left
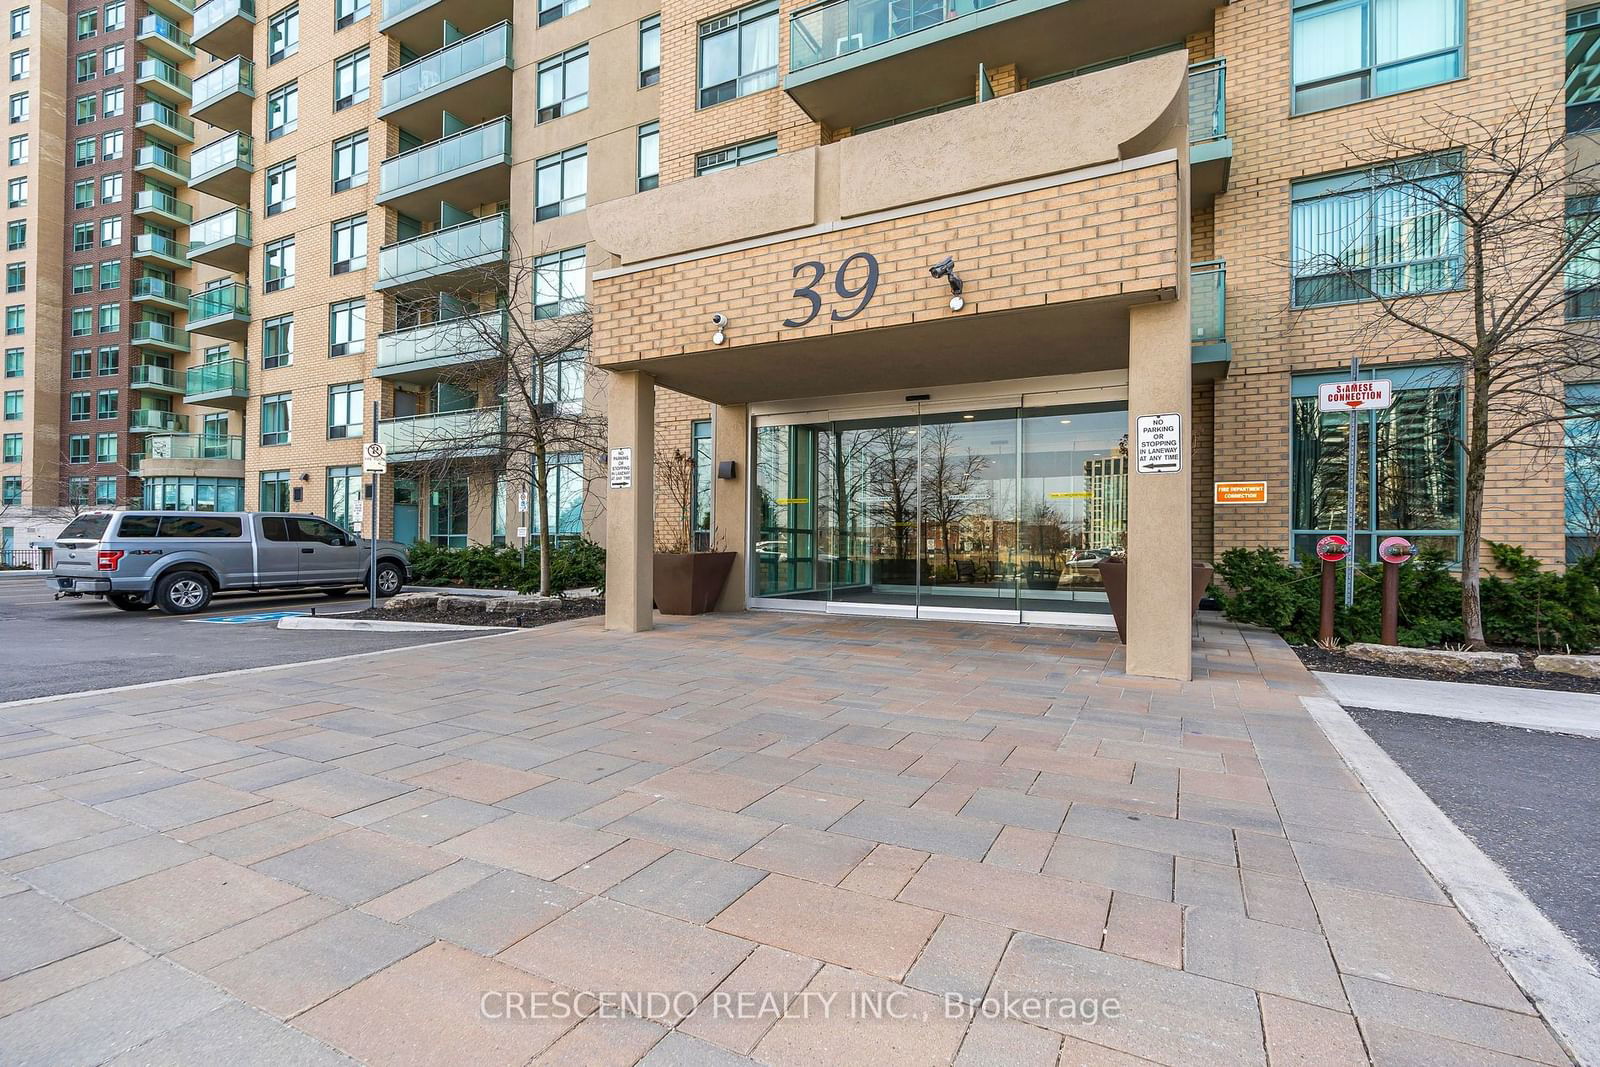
(175,561)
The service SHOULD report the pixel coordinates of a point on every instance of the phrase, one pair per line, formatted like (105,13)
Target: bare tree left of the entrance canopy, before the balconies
(516,340)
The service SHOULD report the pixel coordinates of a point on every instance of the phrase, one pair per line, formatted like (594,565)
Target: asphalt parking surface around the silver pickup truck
(50,647)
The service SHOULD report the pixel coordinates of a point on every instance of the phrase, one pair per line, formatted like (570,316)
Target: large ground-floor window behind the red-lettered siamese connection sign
(1409,463)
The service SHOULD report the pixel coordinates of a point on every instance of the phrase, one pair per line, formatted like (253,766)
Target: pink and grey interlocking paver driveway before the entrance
(382,860)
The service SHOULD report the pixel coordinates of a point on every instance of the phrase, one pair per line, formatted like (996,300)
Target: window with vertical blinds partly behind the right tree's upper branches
(1377,231)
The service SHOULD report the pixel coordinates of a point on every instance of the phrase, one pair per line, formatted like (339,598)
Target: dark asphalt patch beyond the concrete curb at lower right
(1529,799)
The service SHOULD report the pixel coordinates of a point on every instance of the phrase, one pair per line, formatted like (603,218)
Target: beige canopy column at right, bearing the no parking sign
(1159,505)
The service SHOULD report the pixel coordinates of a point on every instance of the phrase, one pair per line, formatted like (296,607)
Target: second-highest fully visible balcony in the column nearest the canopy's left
(468,169)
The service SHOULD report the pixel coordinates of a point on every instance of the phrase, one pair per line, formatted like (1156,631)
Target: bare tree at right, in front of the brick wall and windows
(1484,236)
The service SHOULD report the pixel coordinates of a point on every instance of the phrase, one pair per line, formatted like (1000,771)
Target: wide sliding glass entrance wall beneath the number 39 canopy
(998,513)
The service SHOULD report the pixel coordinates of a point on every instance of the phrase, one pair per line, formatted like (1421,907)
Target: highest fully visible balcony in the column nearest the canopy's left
(471,79)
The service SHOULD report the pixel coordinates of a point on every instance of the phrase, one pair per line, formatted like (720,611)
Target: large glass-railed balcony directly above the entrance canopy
(860,62)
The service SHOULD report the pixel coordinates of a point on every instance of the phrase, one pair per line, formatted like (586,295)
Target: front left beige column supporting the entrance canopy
(631,513)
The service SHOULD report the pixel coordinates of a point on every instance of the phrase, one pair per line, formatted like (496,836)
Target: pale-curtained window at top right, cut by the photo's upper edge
(1353,50)
